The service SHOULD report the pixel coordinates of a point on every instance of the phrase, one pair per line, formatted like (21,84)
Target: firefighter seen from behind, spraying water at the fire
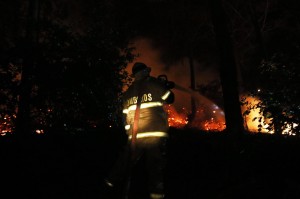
(146,124)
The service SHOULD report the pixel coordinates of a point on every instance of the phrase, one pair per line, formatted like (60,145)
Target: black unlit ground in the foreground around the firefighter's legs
(200,165)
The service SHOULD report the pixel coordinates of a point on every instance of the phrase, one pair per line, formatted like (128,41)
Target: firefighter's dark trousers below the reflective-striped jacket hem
(154,151)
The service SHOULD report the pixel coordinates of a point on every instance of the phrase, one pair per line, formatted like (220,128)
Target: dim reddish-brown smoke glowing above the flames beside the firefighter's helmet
(178,72)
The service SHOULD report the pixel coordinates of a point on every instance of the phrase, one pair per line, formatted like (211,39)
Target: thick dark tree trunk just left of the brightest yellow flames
(228,71)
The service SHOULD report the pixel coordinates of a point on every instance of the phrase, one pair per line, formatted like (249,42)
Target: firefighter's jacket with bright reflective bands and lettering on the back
(153,119)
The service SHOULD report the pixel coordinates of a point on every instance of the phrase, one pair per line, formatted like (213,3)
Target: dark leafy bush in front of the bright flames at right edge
(279,105)
